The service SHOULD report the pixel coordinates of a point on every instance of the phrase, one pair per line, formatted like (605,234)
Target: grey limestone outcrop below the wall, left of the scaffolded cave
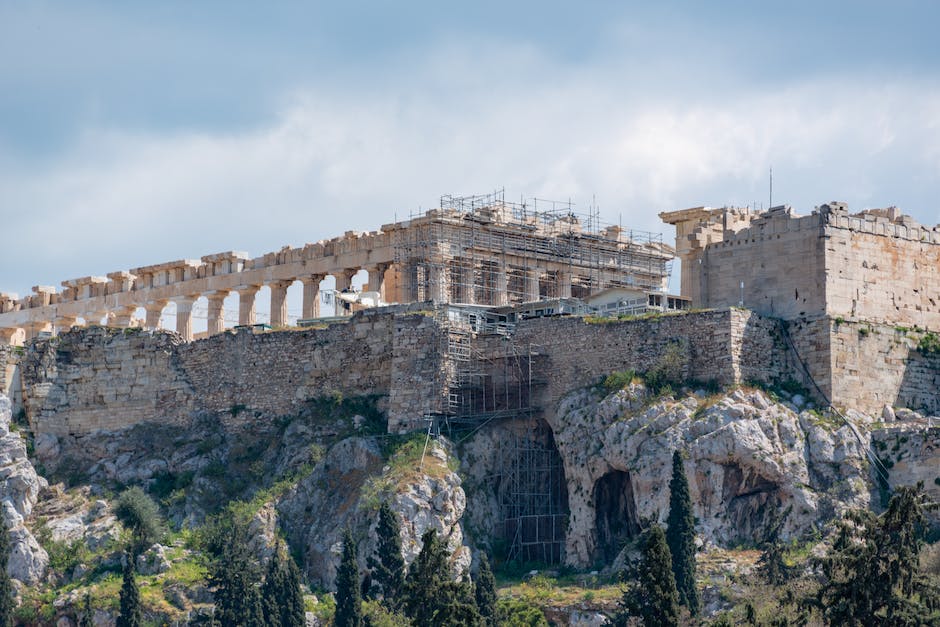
(345,490)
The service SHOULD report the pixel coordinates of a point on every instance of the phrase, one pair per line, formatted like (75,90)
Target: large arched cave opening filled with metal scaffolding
(533,495)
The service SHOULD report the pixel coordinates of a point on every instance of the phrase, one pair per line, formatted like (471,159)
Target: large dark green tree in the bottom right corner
(871,574)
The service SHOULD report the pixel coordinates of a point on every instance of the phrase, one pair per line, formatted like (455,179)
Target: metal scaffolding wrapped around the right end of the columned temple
(486,250)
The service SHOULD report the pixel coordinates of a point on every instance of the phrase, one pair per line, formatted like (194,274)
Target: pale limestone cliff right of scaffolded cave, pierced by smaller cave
(746,456)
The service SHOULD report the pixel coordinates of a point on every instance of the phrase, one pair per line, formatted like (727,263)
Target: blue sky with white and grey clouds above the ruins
(138,132)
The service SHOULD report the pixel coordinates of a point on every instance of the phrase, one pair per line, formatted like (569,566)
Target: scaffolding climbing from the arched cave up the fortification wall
(490,376)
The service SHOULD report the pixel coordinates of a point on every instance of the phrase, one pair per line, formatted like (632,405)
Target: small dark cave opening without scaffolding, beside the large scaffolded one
(615,514)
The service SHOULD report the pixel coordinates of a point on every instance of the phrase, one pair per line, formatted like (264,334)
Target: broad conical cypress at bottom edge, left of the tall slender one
(652,594)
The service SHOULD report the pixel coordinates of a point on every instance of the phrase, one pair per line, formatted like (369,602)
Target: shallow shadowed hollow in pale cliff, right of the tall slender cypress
(749,499)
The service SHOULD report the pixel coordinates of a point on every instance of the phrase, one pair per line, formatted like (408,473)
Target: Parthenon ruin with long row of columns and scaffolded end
(475,250)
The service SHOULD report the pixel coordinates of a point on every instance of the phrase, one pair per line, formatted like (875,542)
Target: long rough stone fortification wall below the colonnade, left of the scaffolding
(107,379)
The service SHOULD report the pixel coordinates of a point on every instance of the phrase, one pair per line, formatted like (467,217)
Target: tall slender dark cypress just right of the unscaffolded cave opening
(680,535)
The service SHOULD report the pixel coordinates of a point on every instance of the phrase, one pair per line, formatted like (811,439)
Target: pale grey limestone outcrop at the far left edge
(19,490)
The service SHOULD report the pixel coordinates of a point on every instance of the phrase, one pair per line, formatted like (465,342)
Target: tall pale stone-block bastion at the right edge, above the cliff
(858,292)
